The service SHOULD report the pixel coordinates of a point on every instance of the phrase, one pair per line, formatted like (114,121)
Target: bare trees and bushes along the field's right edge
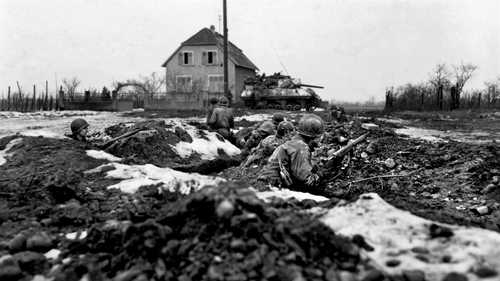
(444,90)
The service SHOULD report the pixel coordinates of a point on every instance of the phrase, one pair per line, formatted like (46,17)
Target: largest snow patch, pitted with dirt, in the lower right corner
(394,233)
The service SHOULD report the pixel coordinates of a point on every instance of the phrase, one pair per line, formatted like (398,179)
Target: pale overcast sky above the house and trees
(353,48)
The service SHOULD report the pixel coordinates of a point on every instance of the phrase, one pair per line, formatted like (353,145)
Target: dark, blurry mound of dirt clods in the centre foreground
(219,233)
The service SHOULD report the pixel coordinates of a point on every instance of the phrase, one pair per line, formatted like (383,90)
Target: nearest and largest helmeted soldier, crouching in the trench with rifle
(290,164)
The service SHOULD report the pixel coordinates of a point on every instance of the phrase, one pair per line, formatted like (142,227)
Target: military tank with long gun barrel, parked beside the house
(279,92)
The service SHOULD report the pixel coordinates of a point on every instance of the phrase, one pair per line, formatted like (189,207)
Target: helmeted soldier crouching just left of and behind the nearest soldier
(267,146)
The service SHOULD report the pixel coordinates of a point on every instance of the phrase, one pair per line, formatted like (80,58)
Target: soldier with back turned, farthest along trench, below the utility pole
(222,119)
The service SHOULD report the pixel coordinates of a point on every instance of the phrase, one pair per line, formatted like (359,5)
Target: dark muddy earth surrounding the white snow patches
(45,190)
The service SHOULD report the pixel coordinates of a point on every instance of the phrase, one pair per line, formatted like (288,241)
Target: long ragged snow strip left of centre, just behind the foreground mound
(135,176)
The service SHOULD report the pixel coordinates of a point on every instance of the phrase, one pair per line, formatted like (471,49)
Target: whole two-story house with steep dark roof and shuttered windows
(197,65)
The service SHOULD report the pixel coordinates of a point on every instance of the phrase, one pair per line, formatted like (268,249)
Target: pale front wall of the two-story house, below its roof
(199,72)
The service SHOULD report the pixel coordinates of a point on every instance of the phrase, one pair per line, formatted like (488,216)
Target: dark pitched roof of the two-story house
(208,37)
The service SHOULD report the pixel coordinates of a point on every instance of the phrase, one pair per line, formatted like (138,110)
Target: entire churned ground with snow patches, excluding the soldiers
(171,203)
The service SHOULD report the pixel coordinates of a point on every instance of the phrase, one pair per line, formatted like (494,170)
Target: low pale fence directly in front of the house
(180,101)
